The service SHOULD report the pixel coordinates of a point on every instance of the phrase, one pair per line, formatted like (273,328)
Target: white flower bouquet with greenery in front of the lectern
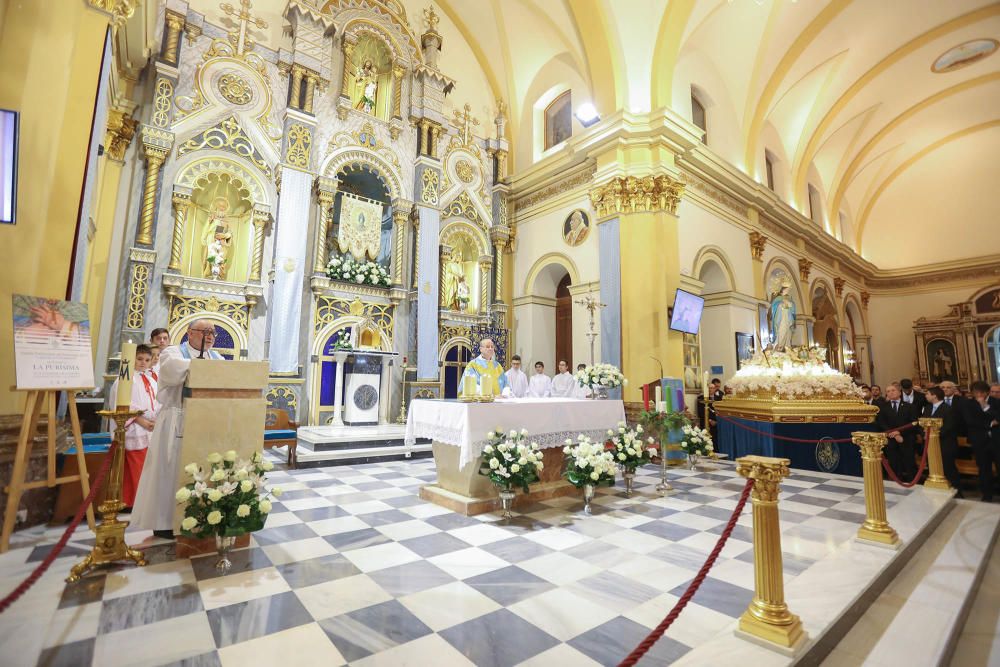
(227,498)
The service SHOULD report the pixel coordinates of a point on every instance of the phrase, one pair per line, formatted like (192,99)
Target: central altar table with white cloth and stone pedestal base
(458,432)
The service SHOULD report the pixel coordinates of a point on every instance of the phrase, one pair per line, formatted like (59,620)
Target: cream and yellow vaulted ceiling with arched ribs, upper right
(840,93)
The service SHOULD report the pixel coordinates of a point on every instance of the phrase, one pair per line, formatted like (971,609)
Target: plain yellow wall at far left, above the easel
(49,68)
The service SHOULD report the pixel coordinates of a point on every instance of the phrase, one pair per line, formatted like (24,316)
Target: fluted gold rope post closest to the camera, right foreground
(768,617)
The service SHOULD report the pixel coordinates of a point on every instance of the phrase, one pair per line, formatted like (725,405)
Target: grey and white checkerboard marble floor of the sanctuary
(353,568)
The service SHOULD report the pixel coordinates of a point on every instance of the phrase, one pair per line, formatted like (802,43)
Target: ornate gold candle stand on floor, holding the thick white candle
(111,546)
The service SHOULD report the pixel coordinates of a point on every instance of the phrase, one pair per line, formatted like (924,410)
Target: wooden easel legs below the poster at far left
(36,400)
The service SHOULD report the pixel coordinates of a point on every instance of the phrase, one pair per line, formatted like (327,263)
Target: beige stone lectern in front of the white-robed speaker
(224,408)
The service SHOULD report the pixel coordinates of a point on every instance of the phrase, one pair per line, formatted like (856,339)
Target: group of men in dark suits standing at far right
(976,417)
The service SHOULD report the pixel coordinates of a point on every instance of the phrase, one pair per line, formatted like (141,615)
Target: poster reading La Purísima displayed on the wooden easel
(52,347)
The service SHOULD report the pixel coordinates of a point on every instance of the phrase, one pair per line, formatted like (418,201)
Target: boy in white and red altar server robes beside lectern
(139,428)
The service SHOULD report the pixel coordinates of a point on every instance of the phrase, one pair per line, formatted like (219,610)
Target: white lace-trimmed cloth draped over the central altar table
(549,421)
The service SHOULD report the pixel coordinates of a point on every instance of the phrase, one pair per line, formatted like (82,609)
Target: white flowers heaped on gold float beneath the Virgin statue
(798,373)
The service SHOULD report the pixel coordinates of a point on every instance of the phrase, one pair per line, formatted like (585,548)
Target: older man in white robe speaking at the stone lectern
(155,502)
